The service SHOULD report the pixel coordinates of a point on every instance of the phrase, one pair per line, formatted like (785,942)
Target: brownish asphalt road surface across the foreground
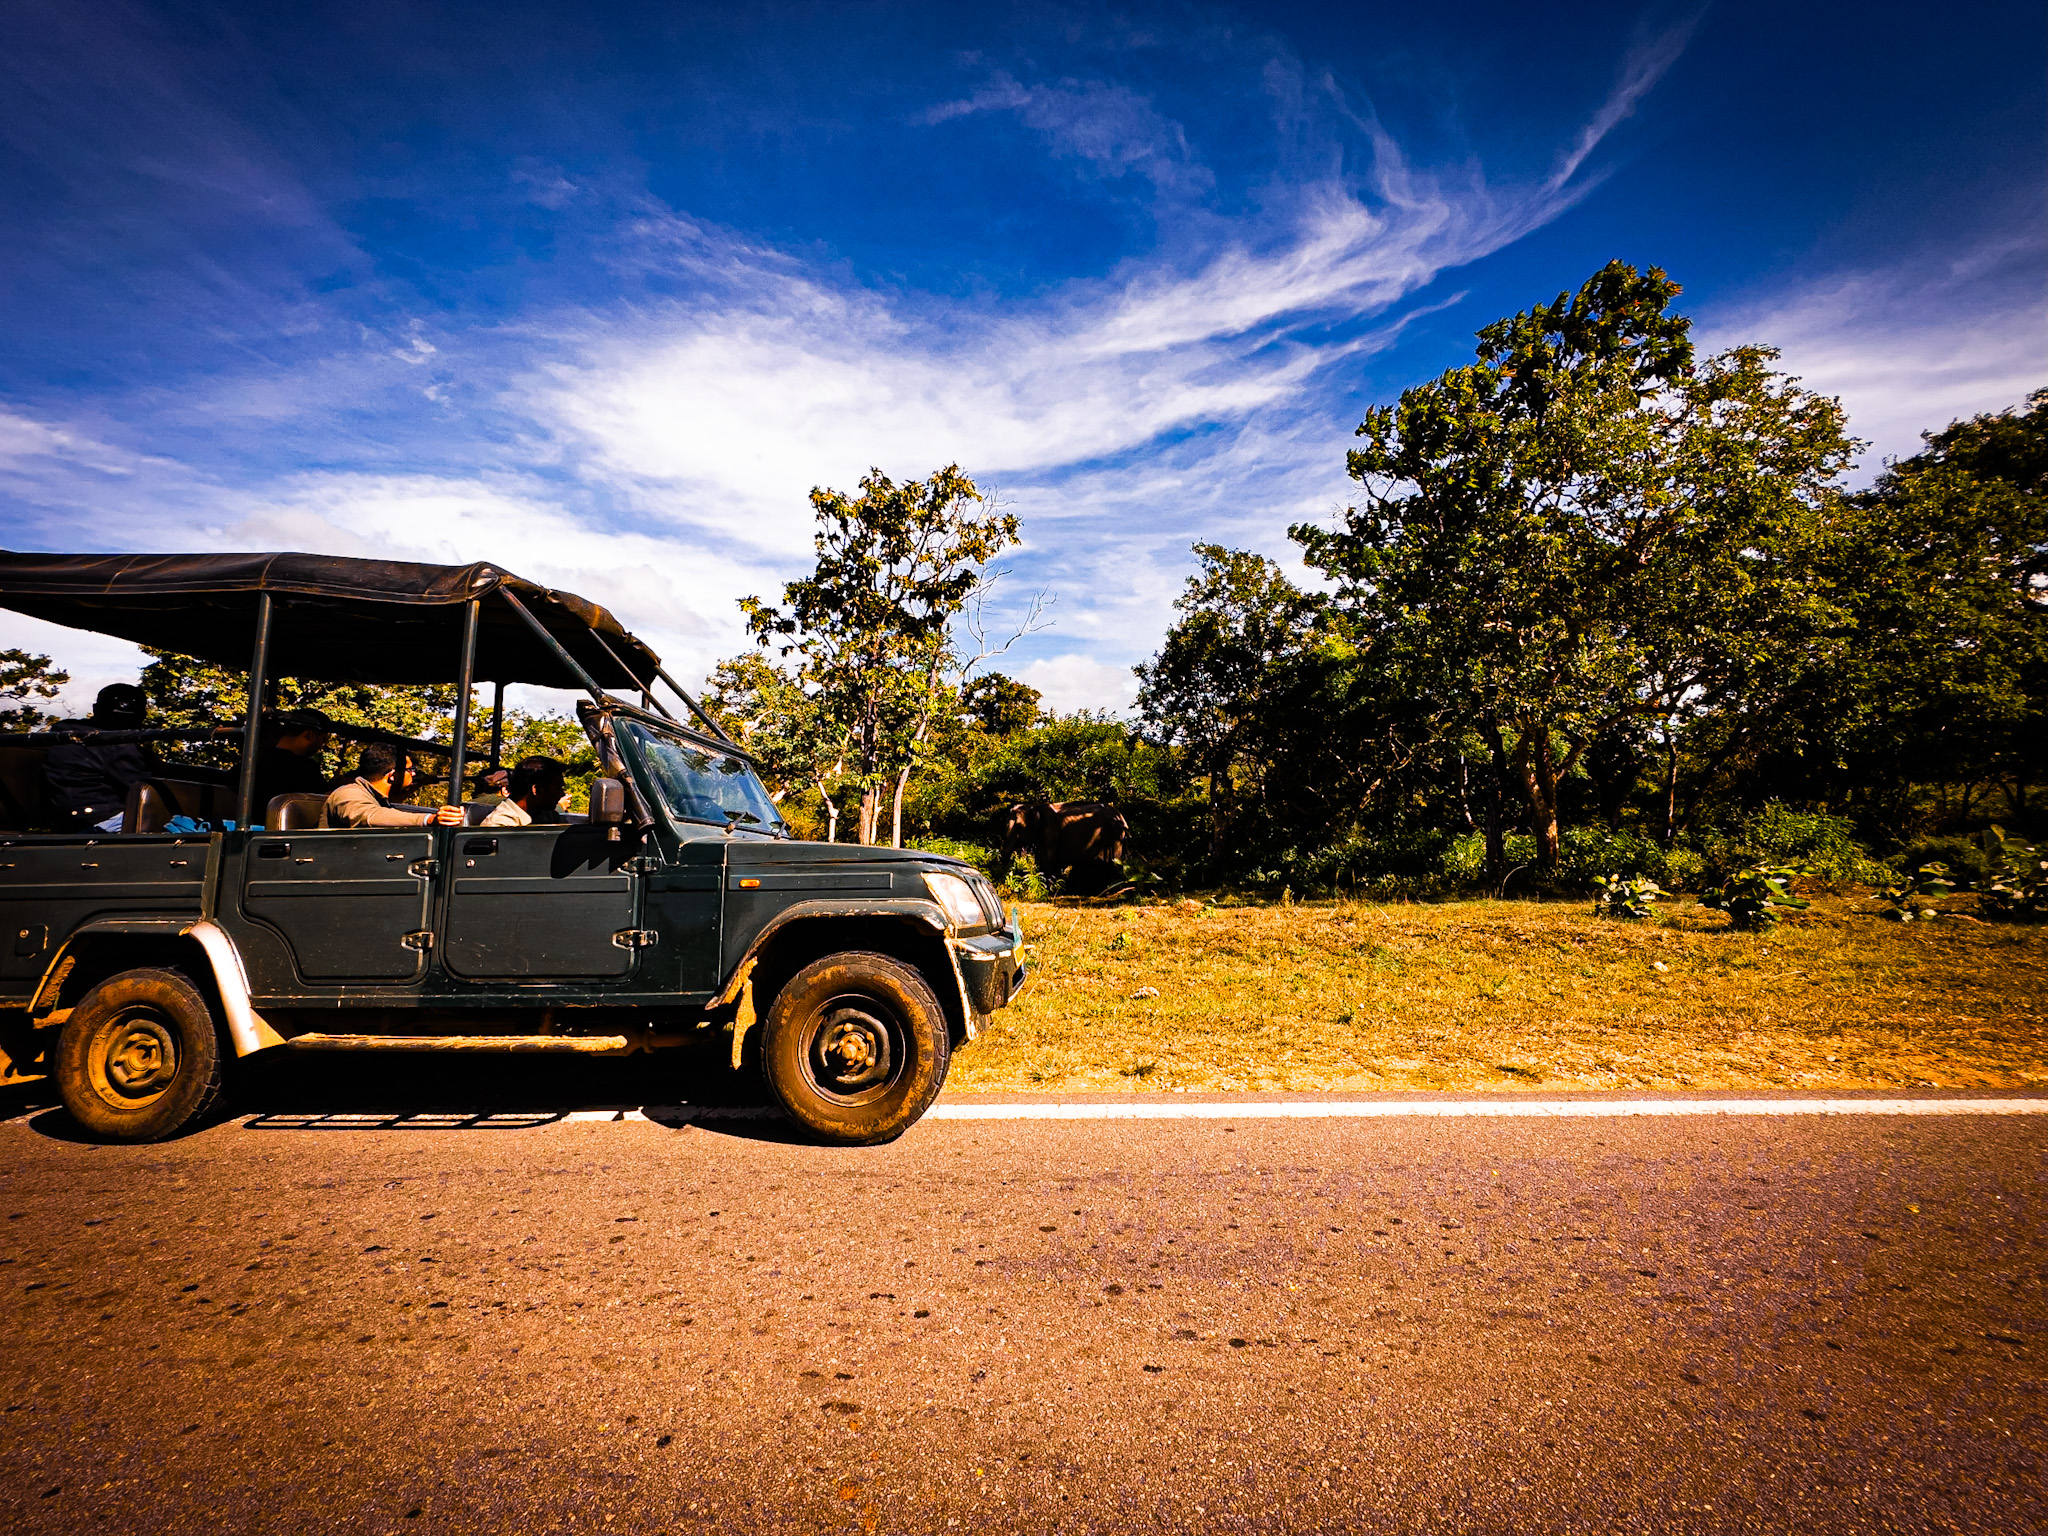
(511,1322)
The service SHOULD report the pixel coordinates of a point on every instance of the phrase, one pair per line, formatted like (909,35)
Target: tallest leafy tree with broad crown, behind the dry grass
(1584,529)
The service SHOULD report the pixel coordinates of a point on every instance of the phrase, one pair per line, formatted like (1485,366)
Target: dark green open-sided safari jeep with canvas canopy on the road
(138,964)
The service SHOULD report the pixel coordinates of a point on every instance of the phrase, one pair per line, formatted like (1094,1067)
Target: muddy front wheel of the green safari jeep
(857,1048)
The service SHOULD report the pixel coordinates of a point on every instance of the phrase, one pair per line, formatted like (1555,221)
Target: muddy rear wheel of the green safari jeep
(140,1058)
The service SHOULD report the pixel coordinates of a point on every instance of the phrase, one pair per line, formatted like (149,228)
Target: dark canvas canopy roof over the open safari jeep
(333,620)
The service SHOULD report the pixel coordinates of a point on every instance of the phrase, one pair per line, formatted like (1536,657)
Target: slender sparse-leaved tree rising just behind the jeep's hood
(871,628)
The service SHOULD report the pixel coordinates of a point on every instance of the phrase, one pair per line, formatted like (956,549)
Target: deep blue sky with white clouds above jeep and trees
(601,292)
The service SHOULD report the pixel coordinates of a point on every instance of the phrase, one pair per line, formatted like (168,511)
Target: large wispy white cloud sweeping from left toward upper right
(656,450)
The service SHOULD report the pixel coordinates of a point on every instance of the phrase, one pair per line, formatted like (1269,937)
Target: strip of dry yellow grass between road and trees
(1498,996)
